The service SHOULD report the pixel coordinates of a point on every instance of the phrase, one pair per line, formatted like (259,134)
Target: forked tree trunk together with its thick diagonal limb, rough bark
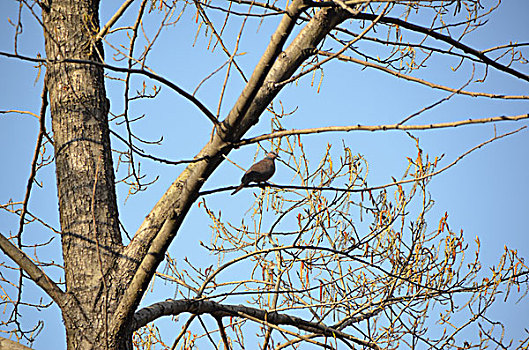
(91,241)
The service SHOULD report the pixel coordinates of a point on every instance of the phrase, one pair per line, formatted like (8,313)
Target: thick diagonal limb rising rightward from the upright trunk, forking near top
(161,225)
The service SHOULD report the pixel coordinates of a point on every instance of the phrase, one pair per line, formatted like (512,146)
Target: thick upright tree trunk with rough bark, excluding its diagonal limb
(85,177)
